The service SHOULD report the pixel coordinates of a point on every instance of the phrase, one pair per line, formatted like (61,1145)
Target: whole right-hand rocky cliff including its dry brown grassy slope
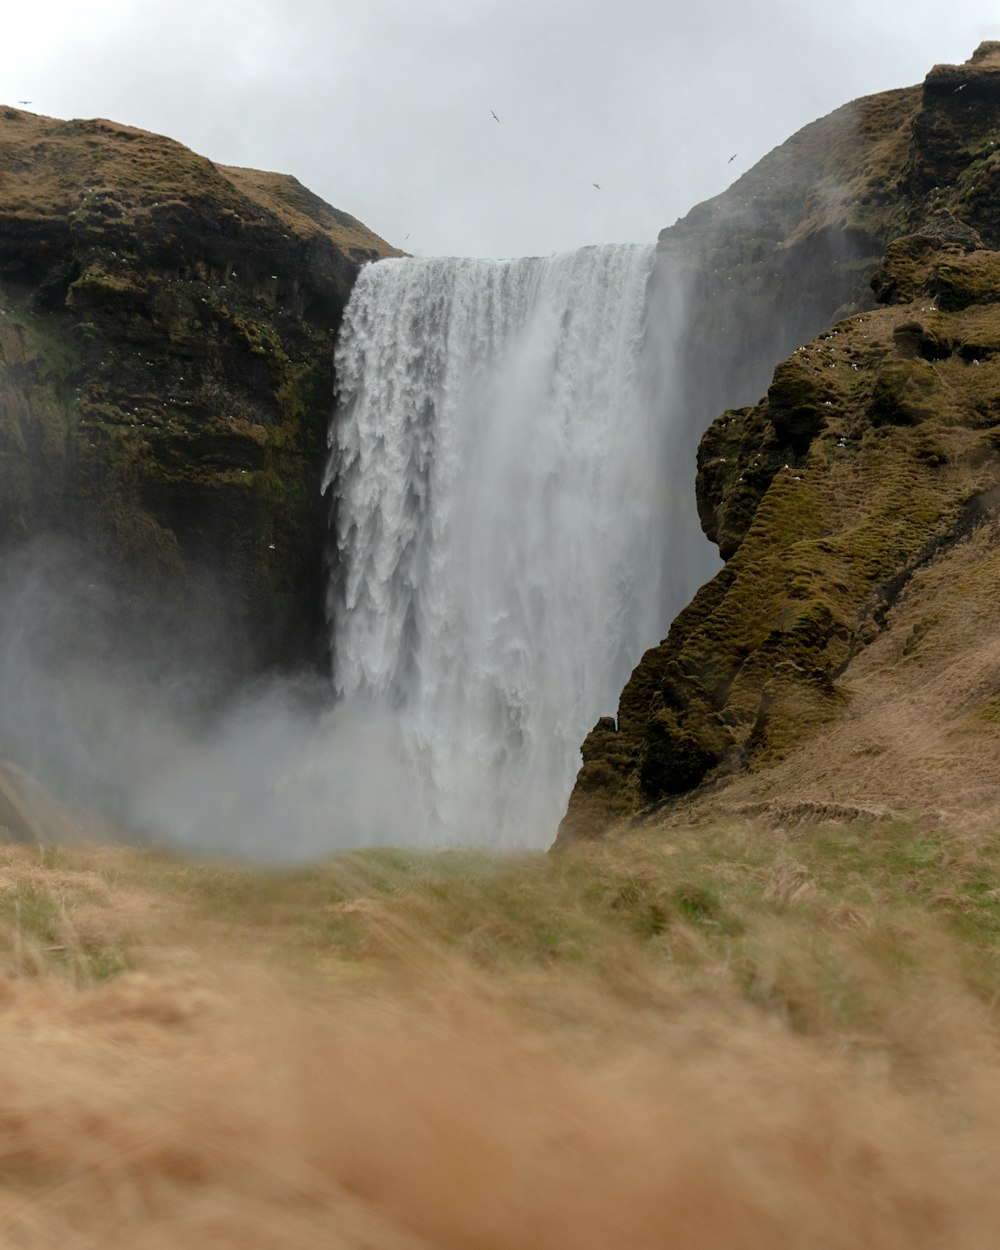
(857,511)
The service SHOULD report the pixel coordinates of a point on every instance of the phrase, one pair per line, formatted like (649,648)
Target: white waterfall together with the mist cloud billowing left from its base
(513,524)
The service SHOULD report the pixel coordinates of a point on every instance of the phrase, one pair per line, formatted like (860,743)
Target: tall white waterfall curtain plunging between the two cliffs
(502,516)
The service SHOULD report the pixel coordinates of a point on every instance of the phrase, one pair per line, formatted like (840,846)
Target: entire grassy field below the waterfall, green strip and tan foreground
(727,1037)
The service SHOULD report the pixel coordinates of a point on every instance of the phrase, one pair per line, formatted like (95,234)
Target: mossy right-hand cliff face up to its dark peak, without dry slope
(873,453)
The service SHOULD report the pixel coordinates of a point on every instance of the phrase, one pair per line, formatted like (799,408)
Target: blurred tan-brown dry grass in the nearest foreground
(158,1113)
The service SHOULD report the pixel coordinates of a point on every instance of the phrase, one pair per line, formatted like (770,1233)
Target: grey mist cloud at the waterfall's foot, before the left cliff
(134,713)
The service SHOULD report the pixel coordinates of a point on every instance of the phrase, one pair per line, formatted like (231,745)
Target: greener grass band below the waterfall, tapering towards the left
(827,928)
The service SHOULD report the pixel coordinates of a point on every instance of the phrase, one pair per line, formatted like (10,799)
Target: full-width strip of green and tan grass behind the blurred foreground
(828,929)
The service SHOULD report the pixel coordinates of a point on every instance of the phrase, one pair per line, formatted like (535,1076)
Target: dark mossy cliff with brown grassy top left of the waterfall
(167,333)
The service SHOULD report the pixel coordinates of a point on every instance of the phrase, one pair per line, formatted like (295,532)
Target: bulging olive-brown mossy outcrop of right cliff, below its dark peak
(879,463)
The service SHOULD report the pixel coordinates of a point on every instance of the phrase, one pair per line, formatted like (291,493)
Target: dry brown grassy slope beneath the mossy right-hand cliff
(918,731)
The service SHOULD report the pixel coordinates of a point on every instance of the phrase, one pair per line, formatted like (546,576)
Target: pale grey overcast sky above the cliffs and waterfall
(384,107)
